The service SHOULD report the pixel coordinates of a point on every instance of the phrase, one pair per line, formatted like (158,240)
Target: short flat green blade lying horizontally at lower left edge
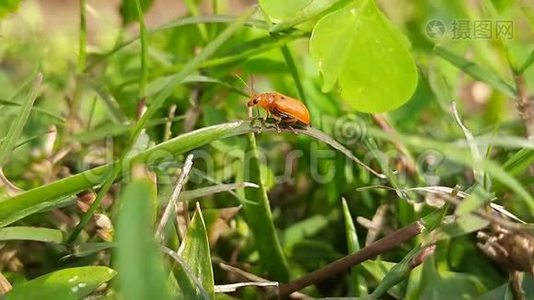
(27,233)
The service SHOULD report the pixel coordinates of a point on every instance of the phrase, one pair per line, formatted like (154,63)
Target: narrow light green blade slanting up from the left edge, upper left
(18,125)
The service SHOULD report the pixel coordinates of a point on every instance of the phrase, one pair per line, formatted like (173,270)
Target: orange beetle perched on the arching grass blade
(283,109)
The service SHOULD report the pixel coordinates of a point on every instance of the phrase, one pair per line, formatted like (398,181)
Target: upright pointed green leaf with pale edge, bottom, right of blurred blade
(195,250)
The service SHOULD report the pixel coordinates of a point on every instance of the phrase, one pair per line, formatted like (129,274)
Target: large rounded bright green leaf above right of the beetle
(361,50)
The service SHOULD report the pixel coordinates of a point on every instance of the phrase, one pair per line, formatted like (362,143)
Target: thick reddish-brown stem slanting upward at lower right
(343,264)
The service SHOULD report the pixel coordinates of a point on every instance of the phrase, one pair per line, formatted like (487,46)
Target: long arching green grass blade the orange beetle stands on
(49,195)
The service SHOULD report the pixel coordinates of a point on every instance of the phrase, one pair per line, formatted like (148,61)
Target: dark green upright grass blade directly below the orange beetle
(259,218)
